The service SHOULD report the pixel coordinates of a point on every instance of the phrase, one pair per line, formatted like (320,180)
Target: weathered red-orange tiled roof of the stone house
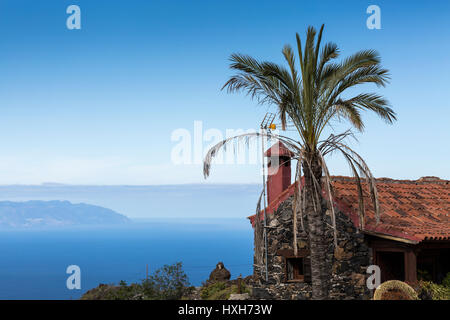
(414,210)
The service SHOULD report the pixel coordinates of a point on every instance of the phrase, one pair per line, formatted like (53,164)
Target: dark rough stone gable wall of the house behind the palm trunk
(348,262)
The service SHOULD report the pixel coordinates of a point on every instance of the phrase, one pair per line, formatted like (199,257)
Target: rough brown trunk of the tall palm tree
(315,212)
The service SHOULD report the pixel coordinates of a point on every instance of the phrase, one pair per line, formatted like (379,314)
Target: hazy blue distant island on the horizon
(35,213)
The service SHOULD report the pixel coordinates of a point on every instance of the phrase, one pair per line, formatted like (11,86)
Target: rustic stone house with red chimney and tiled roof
(413,235)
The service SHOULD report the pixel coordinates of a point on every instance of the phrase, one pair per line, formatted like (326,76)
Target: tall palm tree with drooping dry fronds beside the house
(308,99)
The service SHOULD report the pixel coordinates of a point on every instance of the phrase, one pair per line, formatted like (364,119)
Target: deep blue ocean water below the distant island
(33,263)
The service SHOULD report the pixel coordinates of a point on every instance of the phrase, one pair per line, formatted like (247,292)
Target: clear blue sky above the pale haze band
(99,105)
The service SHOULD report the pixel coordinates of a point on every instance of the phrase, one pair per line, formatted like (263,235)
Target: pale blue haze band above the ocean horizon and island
(188,201)
